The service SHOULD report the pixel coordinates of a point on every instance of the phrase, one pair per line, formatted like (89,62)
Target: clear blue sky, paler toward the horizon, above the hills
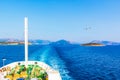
(73,20)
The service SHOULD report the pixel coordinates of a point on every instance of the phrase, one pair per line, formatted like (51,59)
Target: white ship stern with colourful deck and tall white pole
(28,70)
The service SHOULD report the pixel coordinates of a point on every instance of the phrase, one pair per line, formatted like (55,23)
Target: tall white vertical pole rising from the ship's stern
(26,40)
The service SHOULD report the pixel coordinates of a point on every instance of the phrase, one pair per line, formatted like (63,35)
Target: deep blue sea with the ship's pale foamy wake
(74,62)
